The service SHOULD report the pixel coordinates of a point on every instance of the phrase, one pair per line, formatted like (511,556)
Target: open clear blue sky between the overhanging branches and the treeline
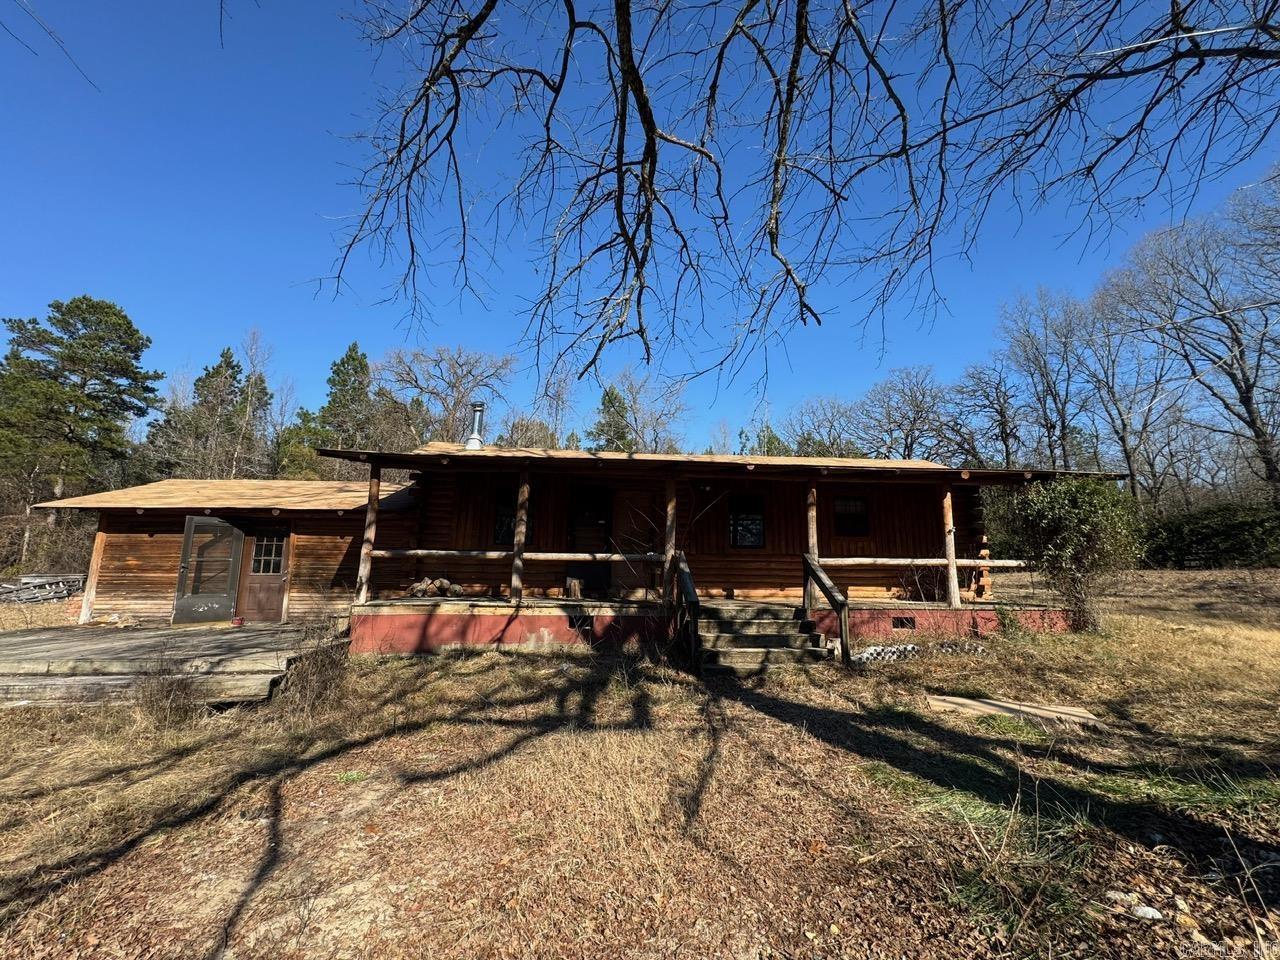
(204,189)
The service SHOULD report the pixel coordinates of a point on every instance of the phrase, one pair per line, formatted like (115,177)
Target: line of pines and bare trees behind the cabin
(1169,372)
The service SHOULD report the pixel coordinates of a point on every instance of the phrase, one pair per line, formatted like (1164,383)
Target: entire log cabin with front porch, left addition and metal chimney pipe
(552,547)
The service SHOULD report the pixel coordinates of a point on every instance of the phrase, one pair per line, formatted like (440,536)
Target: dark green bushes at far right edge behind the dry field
(1215,537)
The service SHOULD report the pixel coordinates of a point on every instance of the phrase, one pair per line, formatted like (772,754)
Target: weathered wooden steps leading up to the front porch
(752,638)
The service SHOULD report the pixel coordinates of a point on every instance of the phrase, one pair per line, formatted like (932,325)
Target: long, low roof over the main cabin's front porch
(445,454)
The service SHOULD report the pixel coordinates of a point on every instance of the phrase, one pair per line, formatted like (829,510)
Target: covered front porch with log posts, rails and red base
(555,547)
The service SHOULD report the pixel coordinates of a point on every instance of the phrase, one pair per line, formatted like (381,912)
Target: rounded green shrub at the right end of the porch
(1076,533)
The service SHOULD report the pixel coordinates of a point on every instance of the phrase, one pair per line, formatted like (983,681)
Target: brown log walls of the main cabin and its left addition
(459,510)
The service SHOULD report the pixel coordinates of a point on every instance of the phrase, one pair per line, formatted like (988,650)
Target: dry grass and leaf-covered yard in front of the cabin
(552,807)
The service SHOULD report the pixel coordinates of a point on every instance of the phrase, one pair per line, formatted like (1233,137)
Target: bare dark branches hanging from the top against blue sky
(676,157)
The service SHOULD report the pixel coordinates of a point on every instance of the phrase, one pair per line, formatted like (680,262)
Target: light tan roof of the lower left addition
(239,495)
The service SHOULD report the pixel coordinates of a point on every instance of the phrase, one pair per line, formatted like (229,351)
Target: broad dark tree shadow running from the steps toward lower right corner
(975,765)
